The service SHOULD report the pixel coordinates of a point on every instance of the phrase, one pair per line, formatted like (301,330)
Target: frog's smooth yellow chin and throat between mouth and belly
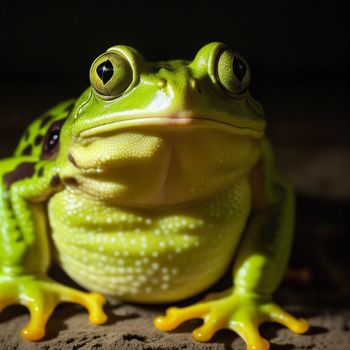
(157,166)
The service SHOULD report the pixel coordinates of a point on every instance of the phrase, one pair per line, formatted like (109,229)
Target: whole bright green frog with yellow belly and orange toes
(147,188)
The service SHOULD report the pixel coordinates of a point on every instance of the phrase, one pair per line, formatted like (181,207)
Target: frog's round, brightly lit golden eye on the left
(111,74)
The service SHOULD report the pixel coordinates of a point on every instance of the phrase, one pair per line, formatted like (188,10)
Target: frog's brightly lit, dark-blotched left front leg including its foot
(24,253)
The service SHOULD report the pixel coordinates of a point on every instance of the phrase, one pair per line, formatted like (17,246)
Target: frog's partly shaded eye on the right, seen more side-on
(232,73)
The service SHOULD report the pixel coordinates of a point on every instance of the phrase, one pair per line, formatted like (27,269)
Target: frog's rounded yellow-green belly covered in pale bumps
(147,256)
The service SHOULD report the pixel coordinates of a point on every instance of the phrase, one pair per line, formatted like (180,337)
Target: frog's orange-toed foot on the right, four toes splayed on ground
(240,313)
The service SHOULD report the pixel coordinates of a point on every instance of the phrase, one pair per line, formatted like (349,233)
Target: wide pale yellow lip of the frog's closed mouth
(172,122)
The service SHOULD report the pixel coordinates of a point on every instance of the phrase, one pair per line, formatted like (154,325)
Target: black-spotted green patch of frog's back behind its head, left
(31,142)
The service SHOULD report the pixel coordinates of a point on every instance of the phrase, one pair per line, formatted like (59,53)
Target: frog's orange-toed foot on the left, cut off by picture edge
(41,296)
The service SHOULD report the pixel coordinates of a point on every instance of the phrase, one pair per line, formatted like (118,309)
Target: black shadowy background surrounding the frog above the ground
(299,55)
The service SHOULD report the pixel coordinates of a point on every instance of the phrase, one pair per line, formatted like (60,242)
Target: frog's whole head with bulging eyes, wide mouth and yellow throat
(163,133)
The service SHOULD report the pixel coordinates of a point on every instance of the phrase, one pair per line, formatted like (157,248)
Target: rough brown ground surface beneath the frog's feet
(130,327)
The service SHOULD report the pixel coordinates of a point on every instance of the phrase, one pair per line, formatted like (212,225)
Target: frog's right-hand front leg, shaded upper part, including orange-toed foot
(258,270)
